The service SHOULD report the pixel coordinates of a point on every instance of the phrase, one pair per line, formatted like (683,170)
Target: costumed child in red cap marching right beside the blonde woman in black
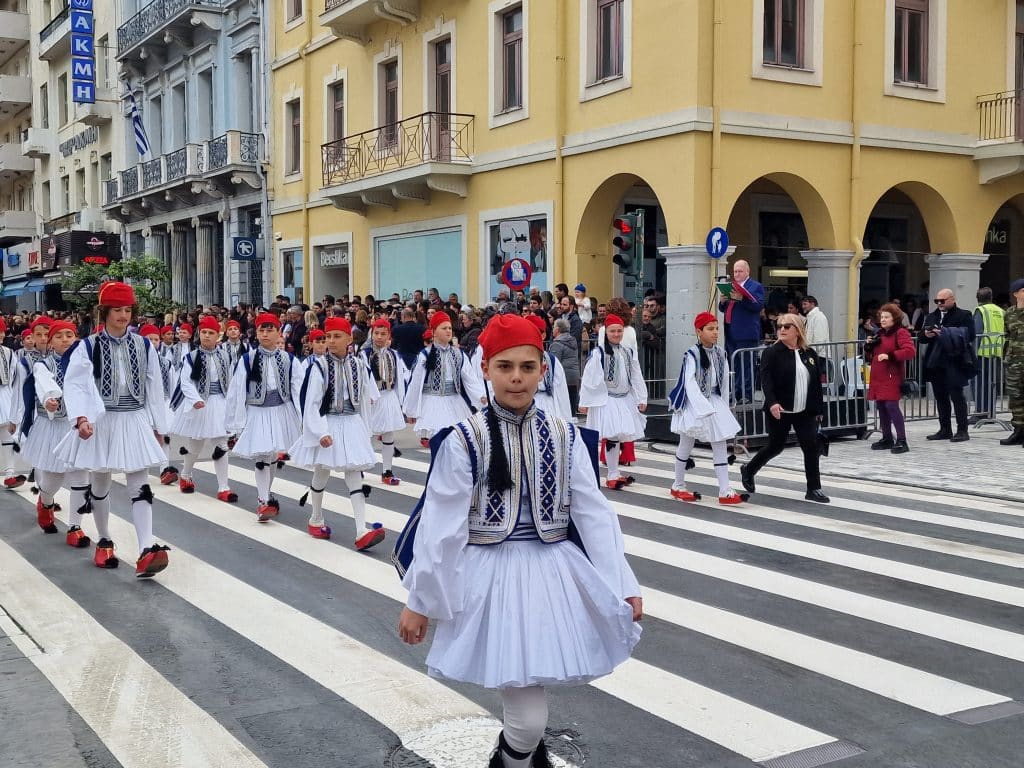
(701,413)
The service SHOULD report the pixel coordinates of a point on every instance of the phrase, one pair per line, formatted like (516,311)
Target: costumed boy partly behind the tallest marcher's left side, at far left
(46,425)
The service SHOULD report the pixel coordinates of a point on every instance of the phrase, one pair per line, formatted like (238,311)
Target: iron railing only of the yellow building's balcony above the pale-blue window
(431,138)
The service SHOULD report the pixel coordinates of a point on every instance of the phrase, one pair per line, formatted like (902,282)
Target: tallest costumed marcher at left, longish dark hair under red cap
(114,395)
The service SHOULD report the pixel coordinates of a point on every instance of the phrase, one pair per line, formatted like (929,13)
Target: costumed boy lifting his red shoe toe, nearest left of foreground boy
(335,395)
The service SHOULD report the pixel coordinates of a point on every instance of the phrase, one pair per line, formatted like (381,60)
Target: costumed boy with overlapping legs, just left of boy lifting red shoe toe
(261,411)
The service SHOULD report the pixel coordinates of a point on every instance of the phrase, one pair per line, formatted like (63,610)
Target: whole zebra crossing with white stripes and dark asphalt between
(780,633)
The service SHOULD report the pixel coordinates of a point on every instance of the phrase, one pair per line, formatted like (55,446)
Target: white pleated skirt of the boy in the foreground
(534,614)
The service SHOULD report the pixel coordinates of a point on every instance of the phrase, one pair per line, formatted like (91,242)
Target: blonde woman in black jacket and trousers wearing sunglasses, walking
(791,379)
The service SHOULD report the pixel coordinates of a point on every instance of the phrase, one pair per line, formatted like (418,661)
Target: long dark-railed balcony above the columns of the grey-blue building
(236,154)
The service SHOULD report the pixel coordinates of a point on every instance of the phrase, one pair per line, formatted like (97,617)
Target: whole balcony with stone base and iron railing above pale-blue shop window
(408,160)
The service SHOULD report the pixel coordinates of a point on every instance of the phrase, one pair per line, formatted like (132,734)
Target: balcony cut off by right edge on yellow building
(1000,152)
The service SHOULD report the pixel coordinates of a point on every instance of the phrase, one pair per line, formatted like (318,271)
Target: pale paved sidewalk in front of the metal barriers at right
(979,467)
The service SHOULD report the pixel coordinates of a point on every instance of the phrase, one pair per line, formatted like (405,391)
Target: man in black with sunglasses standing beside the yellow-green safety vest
(948,370)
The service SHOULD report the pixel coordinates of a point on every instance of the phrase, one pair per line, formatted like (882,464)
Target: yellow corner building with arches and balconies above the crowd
(849,148)
